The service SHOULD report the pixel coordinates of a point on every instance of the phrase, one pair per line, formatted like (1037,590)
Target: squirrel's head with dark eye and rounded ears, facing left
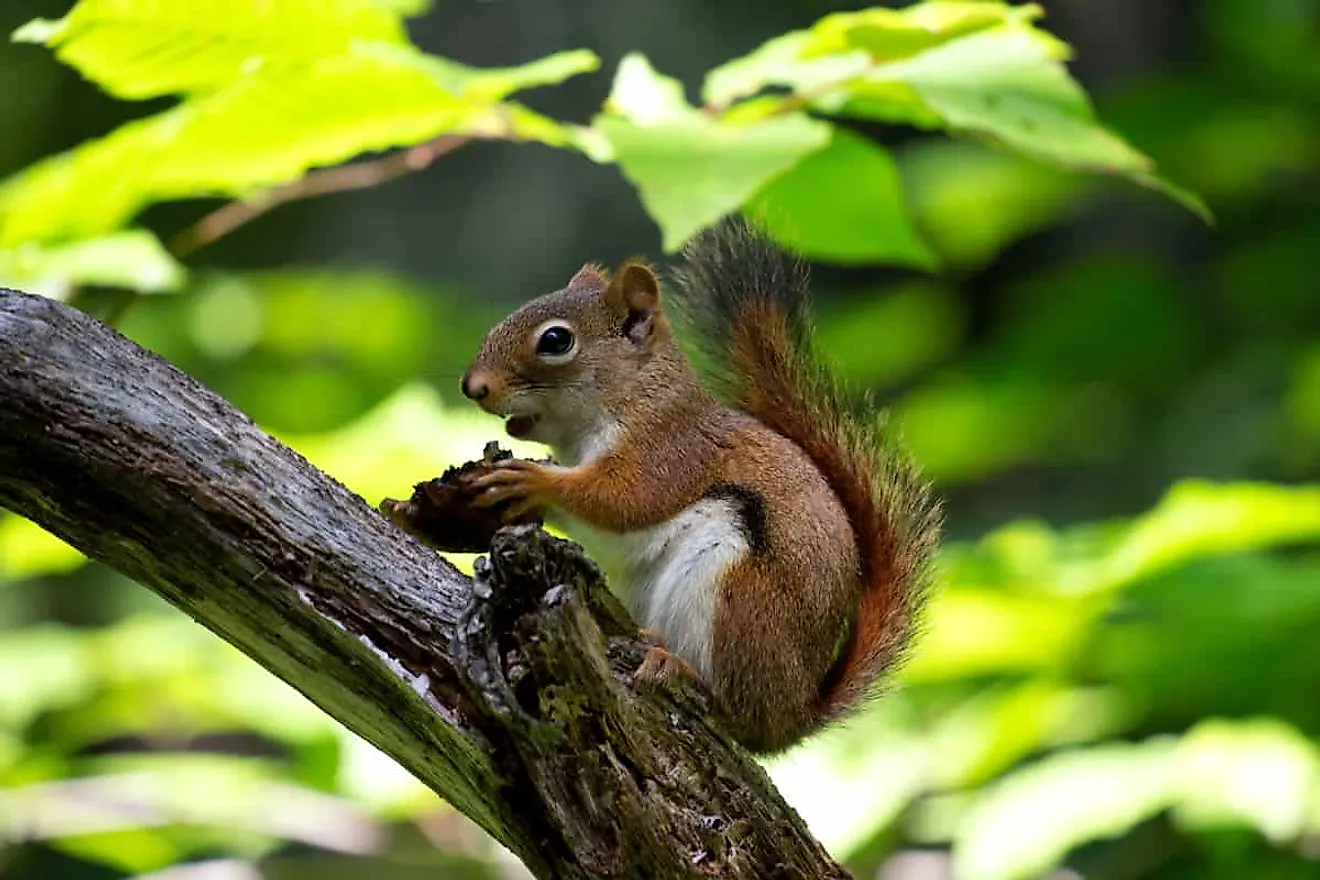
(568,363)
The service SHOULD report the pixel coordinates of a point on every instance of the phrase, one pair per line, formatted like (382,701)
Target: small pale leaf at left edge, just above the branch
(133,259)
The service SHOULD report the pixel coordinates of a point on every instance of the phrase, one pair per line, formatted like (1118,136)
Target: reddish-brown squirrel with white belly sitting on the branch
(768,536)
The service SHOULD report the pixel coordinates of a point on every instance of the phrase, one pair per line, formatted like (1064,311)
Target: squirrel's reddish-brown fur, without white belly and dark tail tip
(831,569)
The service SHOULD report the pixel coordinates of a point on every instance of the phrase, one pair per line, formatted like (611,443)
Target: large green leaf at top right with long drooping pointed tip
(979,69)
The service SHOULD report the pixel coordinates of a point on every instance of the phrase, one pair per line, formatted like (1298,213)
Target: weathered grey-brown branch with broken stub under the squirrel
(510,695)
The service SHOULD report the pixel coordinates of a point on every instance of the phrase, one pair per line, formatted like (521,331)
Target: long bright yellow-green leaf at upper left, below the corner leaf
(270,129)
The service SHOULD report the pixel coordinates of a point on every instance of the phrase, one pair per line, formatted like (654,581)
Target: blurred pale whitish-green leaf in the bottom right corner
(1260,774)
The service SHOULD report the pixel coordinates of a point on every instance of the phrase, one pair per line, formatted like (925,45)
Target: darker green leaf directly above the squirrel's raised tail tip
(843,204)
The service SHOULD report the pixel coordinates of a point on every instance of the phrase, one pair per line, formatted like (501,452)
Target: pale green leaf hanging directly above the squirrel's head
(691,168)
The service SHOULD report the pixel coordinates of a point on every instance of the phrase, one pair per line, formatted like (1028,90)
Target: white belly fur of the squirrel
(670,573)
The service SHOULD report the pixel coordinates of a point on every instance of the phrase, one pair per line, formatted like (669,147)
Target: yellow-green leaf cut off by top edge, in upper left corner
(145,48)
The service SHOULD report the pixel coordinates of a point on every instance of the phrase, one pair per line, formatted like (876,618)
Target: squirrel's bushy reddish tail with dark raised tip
(748,303)
